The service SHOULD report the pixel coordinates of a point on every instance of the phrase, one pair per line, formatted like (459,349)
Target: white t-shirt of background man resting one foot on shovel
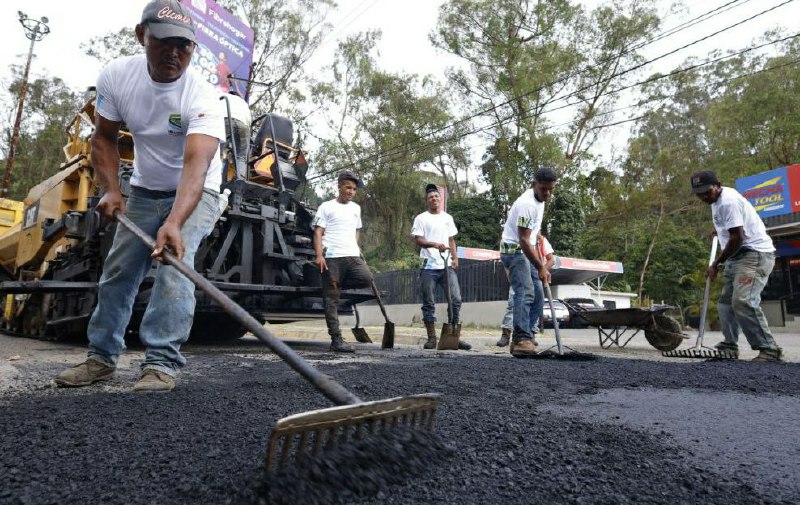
(340,222)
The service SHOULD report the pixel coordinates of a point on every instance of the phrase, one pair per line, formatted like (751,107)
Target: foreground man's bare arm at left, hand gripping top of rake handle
(105,160)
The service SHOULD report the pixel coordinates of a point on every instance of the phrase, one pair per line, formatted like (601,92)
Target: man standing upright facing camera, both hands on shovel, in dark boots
(434,231)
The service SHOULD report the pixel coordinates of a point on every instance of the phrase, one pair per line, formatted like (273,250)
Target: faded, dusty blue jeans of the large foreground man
(168,318)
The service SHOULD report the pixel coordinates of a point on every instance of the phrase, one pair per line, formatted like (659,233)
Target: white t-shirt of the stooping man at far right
(732,210)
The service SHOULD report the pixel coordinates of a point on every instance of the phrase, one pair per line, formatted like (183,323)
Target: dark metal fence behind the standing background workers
(482,281)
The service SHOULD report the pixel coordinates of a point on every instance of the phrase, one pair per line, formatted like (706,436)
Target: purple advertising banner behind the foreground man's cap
(224,50)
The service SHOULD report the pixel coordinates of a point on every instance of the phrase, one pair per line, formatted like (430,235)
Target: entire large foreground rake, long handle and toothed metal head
(301,435)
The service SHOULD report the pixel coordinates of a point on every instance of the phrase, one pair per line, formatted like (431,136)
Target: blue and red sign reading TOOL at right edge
(772,192)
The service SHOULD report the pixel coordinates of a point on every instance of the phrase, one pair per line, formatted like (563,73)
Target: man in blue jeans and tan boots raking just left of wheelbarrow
(519,256)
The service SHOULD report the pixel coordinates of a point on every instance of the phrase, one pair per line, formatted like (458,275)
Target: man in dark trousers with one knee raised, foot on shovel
(336,228)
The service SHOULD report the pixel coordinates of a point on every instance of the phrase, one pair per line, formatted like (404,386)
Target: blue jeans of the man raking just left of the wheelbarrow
(528,297)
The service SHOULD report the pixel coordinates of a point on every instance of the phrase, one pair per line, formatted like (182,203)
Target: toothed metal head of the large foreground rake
(300,435)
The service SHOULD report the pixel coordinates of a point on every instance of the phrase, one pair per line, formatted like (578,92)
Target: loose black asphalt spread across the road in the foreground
(496,440)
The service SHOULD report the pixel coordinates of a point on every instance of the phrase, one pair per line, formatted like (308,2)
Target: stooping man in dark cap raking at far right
(749,256)
